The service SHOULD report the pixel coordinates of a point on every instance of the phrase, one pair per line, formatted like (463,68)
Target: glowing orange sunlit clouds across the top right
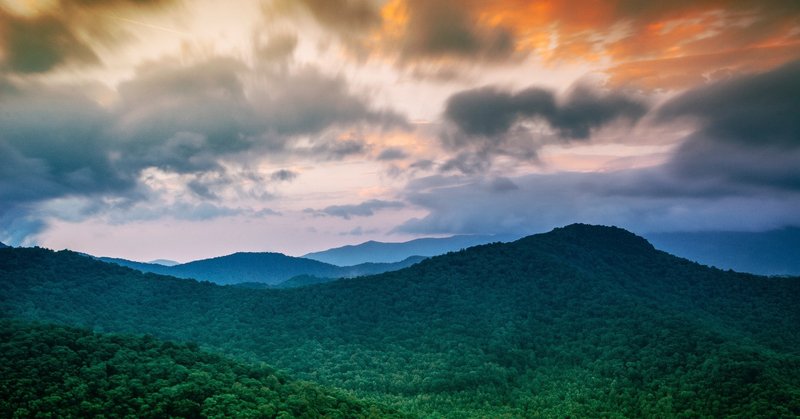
(624,34)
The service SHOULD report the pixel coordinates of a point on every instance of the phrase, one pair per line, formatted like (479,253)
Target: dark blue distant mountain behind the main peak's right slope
(775,252)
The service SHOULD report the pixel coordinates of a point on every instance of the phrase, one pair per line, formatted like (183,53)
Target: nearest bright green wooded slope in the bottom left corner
(48,370)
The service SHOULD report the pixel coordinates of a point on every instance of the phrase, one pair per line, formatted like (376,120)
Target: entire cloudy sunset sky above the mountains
(176,129)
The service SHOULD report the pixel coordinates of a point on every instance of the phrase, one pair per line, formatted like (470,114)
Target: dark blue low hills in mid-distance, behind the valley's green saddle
(265,268)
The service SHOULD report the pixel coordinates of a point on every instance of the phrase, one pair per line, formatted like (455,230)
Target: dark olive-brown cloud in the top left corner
(65,34)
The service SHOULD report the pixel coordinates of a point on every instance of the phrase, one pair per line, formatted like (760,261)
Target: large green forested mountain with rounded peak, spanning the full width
(583,321)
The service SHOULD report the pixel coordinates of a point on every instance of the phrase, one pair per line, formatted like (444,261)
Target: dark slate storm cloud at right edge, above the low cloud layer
(749,131)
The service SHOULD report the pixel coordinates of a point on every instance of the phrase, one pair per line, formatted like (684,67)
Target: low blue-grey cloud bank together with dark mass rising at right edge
(738,170)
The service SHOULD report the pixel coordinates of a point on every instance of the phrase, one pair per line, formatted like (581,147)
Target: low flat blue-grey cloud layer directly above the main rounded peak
(617,198)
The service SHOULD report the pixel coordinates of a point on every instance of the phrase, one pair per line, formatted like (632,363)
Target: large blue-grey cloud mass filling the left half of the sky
(195,121)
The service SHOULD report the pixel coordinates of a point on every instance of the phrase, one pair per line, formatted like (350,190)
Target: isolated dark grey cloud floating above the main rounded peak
(487,122)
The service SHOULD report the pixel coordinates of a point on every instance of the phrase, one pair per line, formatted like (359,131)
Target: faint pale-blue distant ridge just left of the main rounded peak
(373,251)
